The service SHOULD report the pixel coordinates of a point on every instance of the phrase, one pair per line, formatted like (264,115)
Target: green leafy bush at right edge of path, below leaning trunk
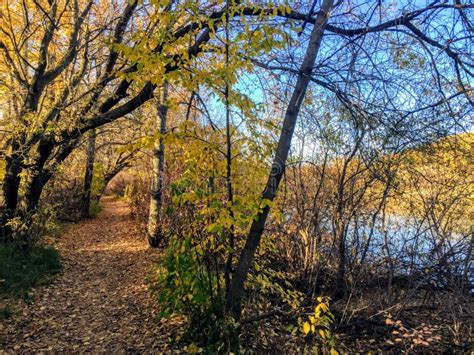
(185,286)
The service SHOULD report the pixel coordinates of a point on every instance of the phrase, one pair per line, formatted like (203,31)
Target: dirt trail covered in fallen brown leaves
(99,302)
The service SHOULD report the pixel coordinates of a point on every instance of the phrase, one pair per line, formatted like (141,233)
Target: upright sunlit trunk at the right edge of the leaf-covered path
(154,233)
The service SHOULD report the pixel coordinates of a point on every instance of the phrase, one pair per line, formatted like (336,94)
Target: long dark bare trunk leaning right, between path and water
(236,290)
